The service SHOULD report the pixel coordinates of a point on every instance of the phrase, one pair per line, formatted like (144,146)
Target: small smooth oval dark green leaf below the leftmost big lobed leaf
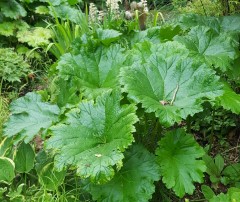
(24,158)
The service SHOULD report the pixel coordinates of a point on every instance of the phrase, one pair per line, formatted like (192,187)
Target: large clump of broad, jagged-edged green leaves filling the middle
(103,89)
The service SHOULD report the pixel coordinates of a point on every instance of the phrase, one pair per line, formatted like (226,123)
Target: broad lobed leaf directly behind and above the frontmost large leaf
(96,72)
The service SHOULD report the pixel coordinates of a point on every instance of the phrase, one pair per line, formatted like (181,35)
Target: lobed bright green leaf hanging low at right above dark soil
(178,155)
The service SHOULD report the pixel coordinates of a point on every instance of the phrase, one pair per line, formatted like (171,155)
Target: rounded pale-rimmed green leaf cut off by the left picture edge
(7,167)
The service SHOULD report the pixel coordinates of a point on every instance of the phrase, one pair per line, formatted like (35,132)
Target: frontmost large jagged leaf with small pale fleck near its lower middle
(94,139)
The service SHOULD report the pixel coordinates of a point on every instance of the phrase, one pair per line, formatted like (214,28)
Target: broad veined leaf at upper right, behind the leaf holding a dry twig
(206,45)
